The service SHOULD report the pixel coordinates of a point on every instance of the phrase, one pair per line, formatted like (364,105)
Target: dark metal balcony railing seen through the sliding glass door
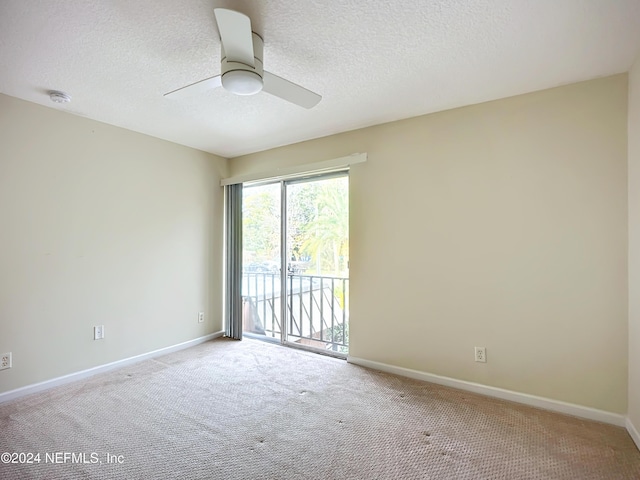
(316,305)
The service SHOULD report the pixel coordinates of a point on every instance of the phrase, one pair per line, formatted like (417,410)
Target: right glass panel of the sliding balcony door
(317,252)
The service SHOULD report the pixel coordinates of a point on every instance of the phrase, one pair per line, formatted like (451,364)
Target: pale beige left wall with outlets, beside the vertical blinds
(100,225)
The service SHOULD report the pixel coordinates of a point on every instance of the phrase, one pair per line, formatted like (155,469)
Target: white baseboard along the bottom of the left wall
(73,377)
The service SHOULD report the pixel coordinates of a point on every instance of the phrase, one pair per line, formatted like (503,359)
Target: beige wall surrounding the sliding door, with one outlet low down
(501,225)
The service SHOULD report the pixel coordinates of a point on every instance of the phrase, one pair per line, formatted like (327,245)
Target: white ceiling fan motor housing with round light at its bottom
(240,78)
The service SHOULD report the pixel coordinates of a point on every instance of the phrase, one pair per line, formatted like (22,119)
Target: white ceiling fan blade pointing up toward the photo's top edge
(235,35)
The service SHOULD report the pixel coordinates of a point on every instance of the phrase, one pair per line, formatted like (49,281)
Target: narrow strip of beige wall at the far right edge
(634,245)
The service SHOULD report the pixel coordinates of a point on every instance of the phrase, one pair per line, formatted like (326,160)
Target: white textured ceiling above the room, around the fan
(373,61)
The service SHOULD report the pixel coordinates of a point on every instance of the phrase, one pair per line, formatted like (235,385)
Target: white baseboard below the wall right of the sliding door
(524,398)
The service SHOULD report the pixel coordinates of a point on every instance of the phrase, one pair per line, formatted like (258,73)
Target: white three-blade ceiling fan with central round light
(242,72)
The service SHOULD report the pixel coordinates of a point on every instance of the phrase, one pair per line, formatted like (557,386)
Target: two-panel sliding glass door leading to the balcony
(296,262)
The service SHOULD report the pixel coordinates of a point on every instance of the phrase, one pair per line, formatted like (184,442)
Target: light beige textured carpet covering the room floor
(250,410)
